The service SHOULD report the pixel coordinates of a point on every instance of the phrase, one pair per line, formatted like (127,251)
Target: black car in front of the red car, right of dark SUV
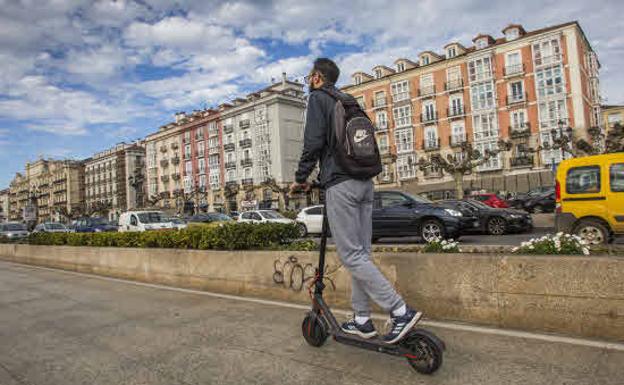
(491,220)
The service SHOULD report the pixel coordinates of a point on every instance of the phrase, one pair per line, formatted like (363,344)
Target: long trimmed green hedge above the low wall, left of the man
(227,236)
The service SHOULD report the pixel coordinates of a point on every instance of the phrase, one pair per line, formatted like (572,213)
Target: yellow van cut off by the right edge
(589,194)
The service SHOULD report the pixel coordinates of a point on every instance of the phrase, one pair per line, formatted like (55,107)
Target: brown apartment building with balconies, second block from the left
(114,180)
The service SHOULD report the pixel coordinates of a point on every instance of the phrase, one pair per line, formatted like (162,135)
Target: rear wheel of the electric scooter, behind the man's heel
(426,351)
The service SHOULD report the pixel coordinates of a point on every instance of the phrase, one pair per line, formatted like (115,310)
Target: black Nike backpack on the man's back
(355,150)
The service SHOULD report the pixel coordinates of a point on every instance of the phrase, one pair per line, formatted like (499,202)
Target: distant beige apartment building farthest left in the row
(50,190)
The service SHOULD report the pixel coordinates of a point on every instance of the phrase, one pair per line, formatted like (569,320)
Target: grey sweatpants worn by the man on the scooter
(350,216)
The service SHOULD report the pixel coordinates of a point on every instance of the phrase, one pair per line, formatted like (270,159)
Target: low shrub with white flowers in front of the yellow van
(559,243)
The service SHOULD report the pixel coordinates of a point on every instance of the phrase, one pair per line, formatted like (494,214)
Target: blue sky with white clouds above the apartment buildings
(78,76)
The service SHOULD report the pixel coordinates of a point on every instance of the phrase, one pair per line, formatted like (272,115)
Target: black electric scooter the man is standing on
(423,349)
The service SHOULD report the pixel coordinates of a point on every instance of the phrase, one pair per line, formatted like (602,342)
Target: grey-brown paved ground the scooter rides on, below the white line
(63,328)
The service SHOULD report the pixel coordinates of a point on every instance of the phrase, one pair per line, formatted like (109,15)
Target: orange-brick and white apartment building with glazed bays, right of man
(517,87)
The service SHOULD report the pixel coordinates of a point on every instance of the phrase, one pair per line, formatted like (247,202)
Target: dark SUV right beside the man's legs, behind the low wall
(399,214)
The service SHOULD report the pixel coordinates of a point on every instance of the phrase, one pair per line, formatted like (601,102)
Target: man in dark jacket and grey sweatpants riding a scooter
(346,168)
